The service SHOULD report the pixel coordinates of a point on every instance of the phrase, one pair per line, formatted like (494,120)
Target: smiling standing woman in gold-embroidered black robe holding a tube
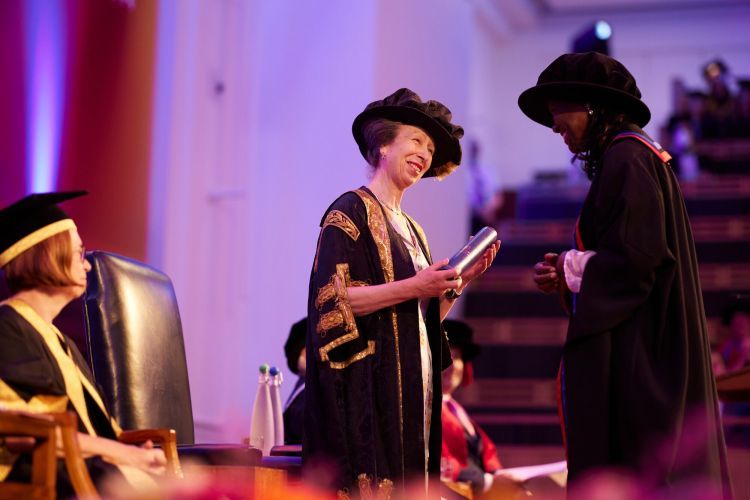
(375,348)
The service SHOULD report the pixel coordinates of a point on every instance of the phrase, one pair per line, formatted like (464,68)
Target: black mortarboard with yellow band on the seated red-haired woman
(32,220)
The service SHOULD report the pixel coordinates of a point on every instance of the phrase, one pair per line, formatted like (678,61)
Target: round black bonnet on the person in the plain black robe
(590,77)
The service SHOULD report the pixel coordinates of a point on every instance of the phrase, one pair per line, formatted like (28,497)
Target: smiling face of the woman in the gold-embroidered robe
(406,159)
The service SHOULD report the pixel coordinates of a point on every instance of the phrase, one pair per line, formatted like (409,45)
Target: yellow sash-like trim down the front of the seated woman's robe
(75,381)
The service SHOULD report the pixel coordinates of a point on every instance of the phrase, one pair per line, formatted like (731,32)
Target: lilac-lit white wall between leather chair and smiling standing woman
(242,178)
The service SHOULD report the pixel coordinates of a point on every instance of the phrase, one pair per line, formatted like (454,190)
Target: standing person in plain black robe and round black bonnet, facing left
(636,386)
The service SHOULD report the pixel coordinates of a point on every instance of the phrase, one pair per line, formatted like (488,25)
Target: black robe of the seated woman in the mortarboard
(29,370)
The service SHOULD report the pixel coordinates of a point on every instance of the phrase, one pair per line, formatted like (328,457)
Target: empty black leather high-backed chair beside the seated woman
(136,349)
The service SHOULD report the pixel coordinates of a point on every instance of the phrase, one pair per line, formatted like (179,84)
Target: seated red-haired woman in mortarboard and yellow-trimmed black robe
(41,370)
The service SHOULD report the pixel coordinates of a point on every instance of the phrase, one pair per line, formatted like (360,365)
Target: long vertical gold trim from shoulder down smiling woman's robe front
(379,228)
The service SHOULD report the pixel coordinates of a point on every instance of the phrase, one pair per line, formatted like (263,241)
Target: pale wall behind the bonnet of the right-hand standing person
(654,45)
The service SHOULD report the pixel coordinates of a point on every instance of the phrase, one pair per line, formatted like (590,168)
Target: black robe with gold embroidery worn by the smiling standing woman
(364,400)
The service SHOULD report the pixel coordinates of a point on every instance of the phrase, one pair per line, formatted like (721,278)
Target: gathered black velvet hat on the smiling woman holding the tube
(405,106)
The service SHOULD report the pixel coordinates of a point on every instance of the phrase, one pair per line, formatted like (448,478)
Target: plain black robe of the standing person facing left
(638,390)
